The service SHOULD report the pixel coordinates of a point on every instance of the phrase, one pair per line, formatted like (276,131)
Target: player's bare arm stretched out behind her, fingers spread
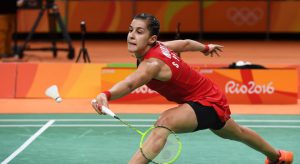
(191,45)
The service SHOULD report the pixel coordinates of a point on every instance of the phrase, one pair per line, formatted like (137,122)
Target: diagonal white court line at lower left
(28,142)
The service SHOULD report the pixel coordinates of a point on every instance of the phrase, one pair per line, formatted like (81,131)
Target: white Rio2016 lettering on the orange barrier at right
(232,87)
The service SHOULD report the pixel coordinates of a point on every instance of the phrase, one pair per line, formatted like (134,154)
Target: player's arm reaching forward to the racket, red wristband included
(147,70)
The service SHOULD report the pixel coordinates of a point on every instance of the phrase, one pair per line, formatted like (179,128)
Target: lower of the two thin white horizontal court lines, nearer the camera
(121,125)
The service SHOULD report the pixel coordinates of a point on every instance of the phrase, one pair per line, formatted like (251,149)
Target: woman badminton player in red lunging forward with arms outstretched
(202,105)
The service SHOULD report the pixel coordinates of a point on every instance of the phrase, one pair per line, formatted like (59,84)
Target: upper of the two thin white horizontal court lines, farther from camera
(133,120)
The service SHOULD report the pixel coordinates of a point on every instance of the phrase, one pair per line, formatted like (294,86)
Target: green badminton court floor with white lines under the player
(90,138)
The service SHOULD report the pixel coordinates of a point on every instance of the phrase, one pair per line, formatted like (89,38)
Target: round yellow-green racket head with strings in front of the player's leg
(170,151)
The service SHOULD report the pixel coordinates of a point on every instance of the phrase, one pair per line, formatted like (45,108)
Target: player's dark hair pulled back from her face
(153,23)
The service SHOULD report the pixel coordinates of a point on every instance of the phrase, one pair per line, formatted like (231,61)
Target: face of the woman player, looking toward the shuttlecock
(139,40)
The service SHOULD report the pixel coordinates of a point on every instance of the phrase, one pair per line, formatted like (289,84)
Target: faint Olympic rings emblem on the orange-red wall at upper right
(245,15)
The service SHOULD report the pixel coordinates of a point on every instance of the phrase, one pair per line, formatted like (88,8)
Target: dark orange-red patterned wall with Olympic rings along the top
(263,19)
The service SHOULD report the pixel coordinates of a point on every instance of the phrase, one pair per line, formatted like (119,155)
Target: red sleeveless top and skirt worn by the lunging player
(186,84)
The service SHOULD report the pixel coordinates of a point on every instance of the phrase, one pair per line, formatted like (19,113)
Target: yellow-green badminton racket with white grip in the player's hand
(171,147)
